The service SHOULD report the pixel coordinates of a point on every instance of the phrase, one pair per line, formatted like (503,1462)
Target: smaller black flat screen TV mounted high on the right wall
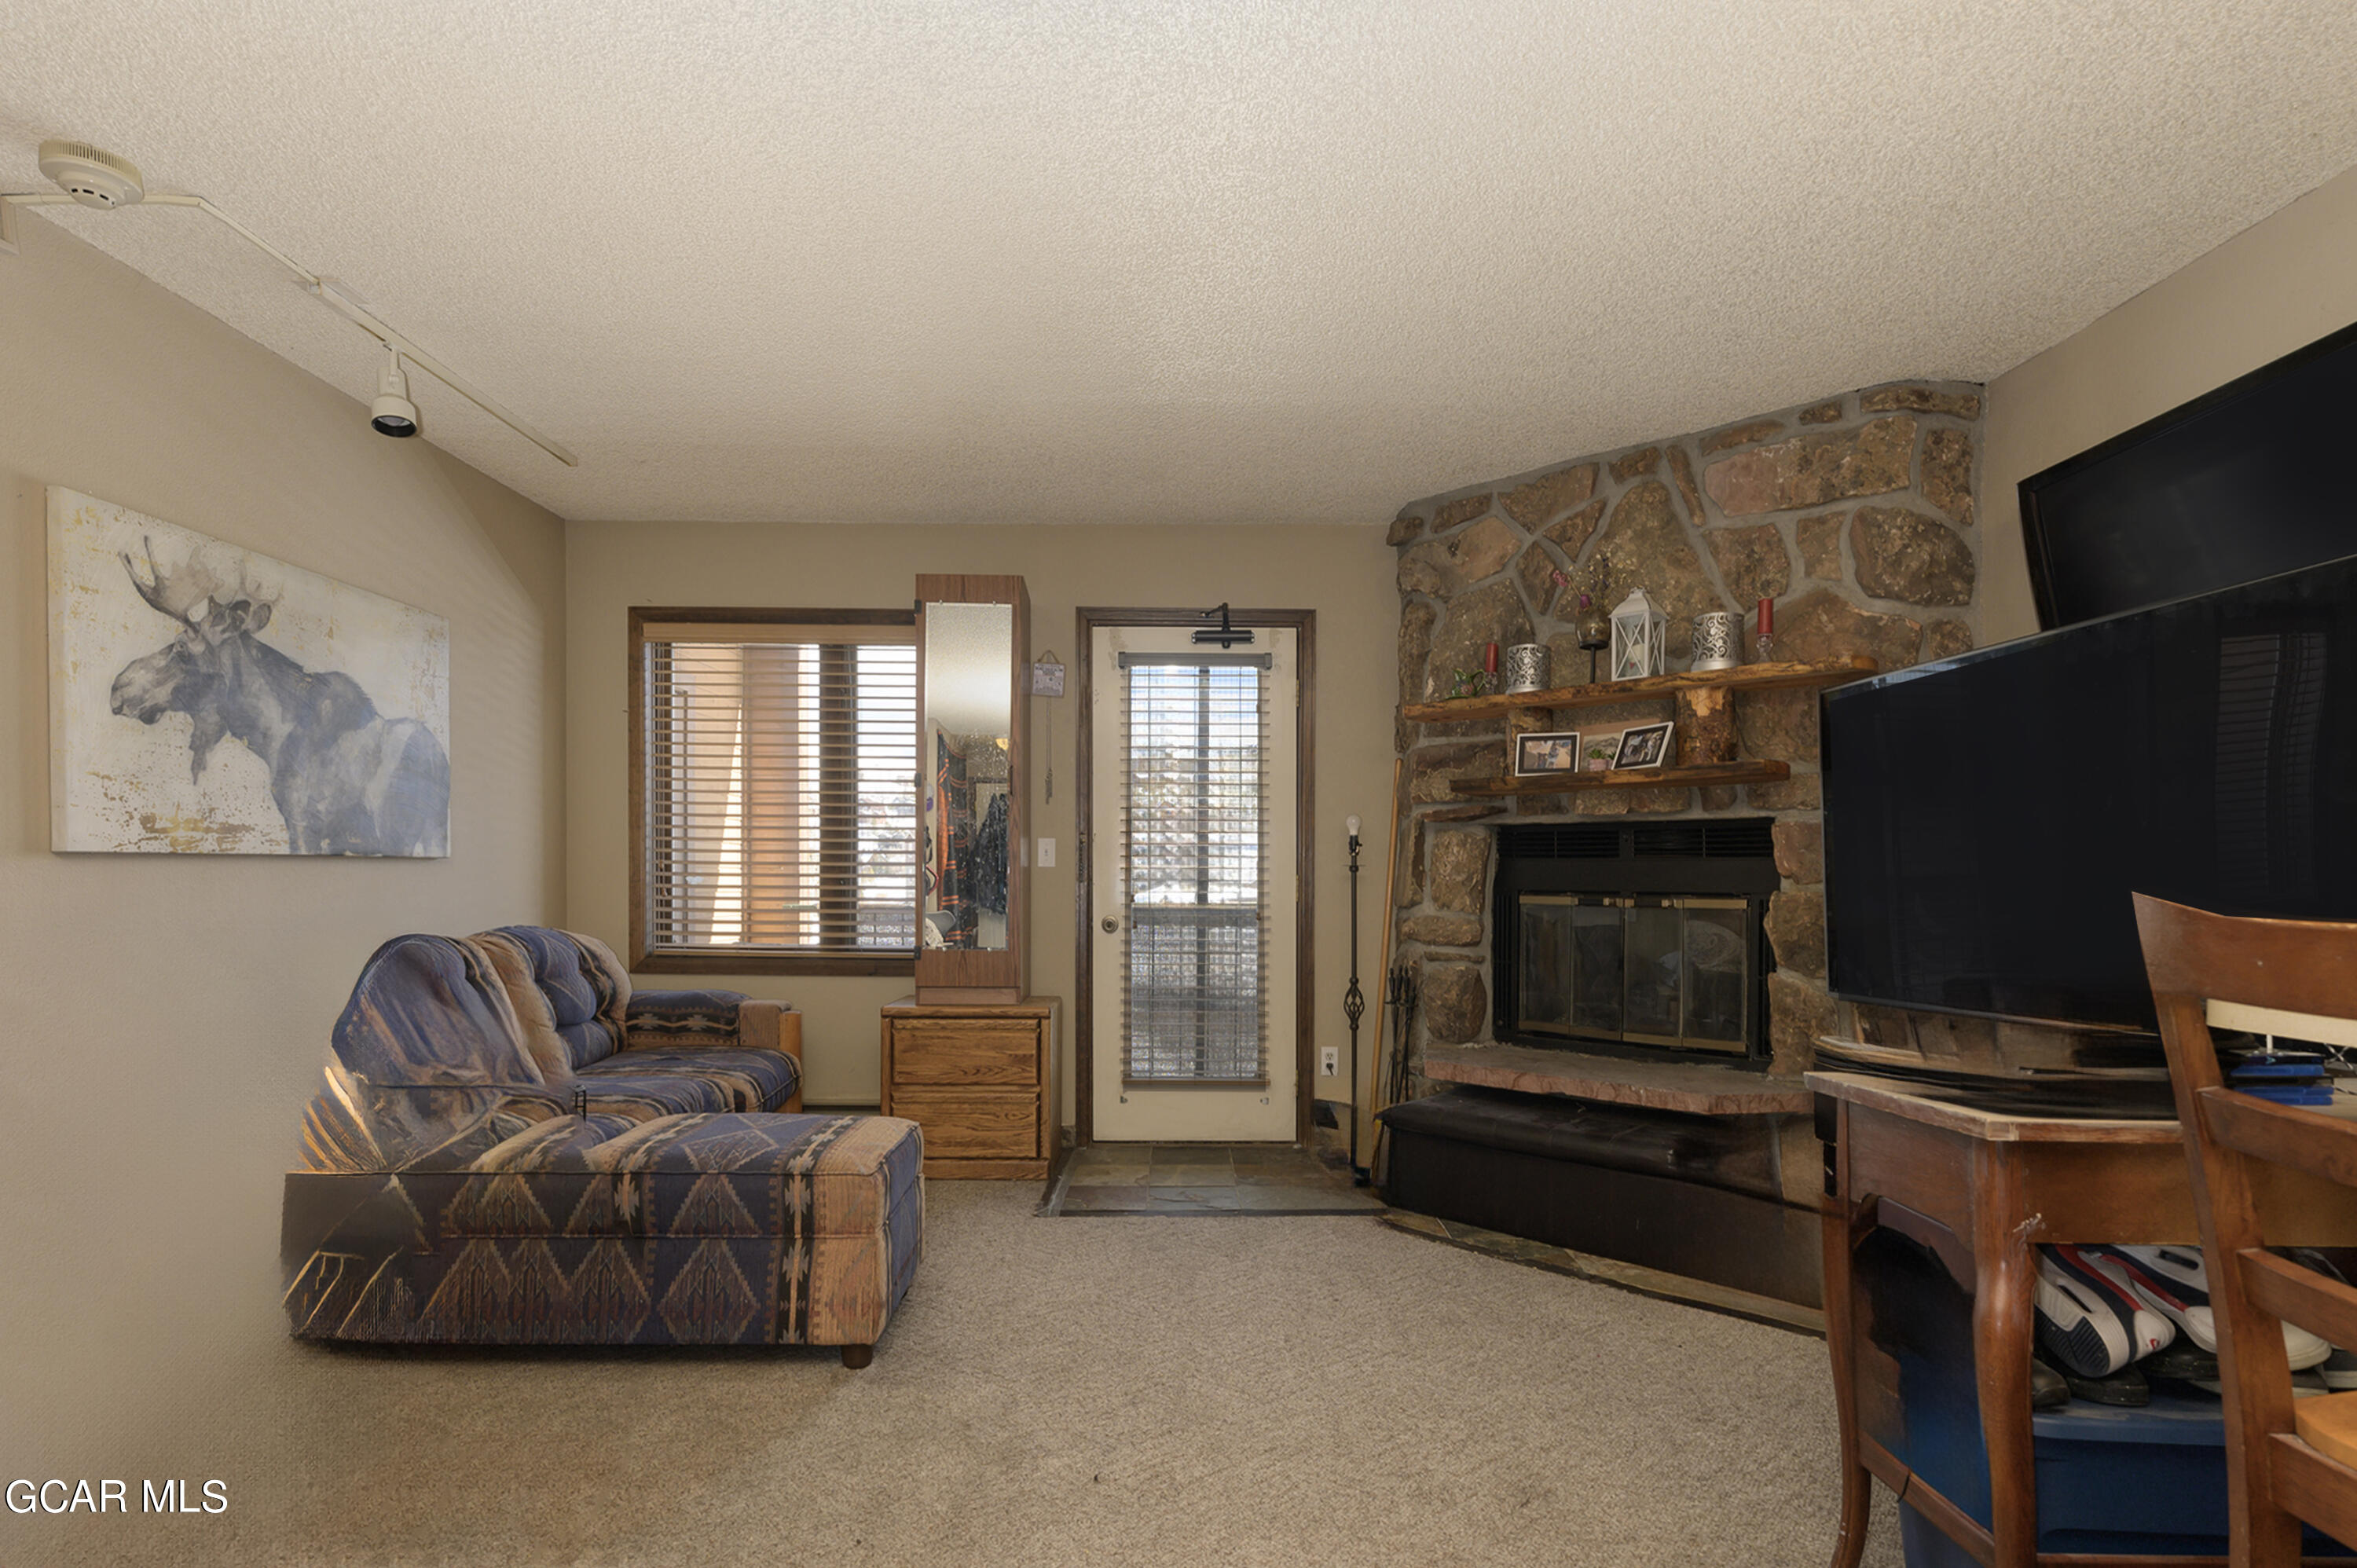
(2238,485)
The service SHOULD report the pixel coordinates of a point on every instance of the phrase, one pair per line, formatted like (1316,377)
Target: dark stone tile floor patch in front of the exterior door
(1206,1180)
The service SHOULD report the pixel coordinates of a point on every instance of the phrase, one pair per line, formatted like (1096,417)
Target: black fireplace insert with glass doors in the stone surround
(1635,937)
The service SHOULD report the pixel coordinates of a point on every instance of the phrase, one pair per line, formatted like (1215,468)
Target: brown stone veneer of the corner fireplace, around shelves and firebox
(1854,515)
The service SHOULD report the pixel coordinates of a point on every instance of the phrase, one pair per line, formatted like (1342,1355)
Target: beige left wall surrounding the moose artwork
(166,1015)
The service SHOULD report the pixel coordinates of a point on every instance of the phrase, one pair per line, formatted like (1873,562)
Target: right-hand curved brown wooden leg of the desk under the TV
(2002,1322)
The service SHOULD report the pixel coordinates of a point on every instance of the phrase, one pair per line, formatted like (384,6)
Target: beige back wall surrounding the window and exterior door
(1345,574)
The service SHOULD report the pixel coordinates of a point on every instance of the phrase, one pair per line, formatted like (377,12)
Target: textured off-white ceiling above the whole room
(1104,261)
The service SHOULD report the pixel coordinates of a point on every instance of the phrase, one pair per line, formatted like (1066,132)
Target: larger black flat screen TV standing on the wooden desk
(1988,817)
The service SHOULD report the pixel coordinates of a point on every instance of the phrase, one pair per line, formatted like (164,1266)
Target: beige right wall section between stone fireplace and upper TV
(2271,289)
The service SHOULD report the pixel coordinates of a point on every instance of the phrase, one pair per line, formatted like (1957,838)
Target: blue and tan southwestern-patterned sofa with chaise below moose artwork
(517,1149)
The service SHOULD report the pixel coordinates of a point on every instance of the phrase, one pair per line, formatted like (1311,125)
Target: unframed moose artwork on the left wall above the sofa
(213,701)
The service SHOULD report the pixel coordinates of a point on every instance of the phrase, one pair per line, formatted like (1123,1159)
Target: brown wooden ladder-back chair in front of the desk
(2287,1461)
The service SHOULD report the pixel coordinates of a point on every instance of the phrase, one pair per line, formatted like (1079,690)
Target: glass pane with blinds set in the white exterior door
(1196,867)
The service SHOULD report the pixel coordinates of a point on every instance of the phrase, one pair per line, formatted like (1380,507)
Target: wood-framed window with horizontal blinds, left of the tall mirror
(777,798)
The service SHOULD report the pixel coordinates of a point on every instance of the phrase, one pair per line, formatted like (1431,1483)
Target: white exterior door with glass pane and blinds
(1191,862)
